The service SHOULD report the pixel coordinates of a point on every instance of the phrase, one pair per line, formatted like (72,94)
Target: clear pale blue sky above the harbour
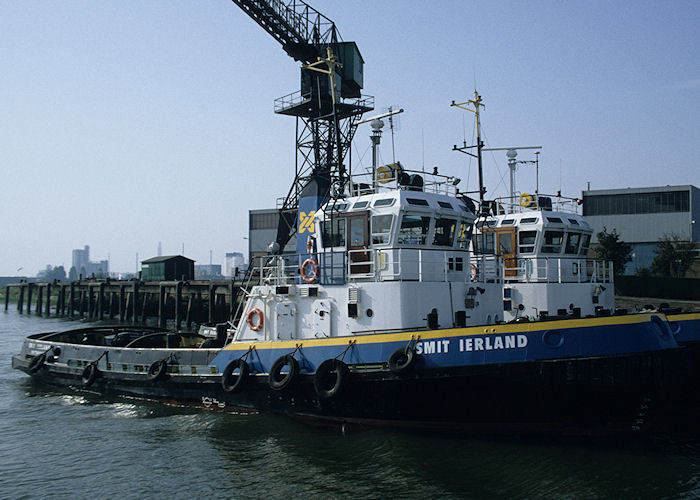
(126,124)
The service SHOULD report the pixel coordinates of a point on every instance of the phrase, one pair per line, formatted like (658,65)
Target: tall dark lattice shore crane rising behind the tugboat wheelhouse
(327,107)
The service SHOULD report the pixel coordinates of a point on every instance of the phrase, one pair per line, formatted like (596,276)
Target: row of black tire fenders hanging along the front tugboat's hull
(331,376)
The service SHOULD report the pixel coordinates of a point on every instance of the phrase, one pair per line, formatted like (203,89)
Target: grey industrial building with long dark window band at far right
(642,216)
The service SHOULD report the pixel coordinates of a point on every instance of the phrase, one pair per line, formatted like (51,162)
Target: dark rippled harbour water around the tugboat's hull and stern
(61,444)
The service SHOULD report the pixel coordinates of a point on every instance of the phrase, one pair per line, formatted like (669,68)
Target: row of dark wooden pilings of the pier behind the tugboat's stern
(131,301)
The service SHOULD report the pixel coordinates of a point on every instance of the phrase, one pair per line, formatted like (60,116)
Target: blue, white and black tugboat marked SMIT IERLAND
(385,317)
